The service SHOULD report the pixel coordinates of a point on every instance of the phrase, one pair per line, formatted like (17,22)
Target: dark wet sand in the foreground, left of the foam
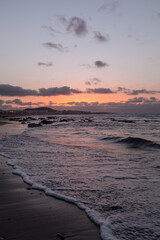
(27,214)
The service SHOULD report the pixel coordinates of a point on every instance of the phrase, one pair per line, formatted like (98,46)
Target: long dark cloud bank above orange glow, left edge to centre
(8,90)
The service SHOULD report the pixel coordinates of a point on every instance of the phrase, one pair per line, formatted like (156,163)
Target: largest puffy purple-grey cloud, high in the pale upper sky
(77,25)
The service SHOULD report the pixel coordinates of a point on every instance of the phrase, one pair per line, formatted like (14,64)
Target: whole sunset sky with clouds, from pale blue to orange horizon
(90,55)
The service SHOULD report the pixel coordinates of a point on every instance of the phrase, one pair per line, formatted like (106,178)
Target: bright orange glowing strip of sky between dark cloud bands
(63,100)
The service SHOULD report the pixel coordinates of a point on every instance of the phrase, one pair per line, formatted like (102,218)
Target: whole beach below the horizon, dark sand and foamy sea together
(80,177)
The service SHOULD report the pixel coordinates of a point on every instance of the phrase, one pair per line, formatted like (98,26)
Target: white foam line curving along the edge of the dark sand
(104,225)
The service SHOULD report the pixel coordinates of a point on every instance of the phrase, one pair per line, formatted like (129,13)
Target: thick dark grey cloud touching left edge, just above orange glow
(8,90)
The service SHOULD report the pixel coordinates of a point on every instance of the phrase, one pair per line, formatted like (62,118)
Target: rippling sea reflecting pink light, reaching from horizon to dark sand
(106,164)
